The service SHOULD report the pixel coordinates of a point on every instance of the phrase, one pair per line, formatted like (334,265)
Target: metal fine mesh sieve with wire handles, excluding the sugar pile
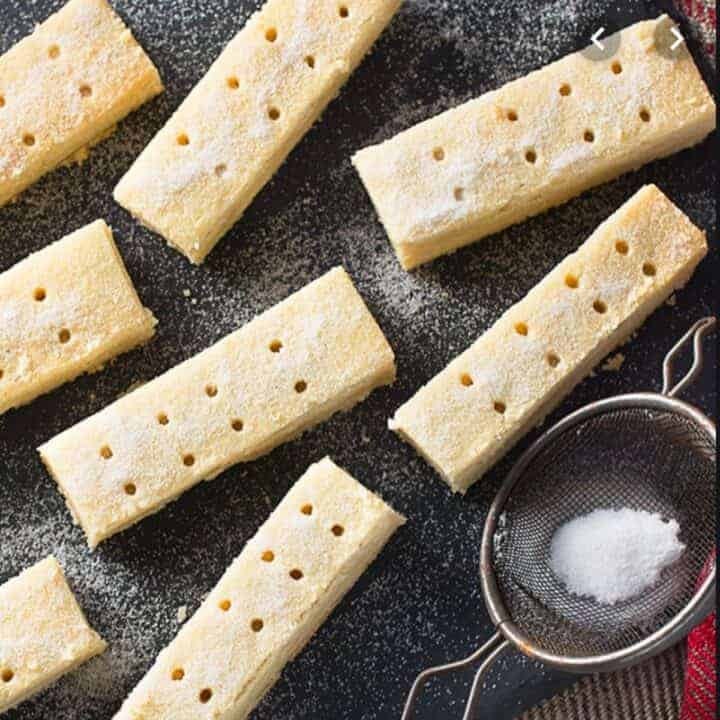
(645,451)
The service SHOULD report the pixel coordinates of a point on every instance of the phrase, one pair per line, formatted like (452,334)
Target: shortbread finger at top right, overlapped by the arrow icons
(536,142)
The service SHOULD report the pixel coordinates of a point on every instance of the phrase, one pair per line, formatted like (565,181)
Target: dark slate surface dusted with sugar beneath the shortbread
(420,603)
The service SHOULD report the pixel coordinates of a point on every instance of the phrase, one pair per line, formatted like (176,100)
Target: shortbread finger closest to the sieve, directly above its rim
(470,414)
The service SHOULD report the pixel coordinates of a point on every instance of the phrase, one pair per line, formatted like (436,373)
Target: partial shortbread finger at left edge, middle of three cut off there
(64,311)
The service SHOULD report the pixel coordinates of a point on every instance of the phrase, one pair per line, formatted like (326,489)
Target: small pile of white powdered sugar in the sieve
(614,555)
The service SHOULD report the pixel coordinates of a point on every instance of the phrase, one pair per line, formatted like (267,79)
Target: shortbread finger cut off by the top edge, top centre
(235,129)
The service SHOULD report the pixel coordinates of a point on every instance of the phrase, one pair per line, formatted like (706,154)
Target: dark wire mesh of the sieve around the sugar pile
(646,459)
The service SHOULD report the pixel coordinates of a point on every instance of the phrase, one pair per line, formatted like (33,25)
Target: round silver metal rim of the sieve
(698,606)
